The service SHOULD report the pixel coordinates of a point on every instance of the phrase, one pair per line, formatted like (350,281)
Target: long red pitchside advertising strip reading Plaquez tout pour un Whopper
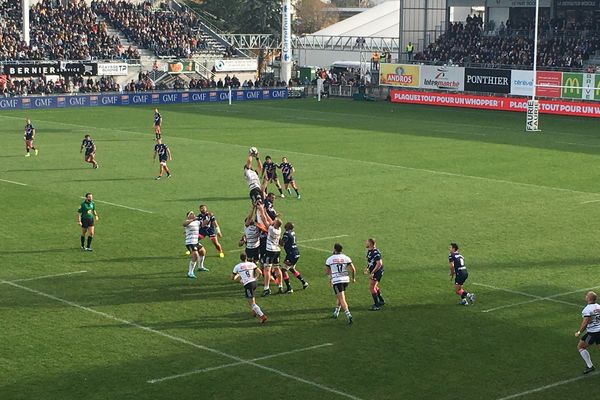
(495,103)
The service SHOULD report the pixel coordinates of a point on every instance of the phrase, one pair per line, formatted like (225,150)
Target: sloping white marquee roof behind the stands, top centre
(379,21)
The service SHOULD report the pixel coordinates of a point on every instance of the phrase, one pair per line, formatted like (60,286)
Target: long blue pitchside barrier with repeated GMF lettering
(94,100)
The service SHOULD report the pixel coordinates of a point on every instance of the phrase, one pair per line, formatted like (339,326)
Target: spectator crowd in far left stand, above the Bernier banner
(57,32)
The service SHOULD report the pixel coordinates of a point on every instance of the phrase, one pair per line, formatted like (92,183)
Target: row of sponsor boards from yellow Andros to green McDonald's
(552,84)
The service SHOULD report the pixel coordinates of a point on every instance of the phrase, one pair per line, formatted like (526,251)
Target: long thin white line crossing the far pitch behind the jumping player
(435,172)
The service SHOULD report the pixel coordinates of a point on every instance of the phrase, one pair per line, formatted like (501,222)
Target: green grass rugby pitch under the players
(524,209)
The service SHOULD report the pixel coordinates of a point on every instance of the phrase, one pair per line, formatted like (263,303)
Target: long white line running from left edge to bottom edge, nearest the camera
(182,340)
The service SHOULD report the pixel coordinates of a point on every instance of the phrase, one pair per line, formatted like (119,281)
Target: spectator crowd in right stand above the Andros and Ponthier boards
(465,43)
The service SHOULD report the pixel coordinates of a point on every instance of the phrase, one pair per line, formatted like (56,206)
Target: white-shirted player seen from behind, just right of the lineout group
(337,267)
